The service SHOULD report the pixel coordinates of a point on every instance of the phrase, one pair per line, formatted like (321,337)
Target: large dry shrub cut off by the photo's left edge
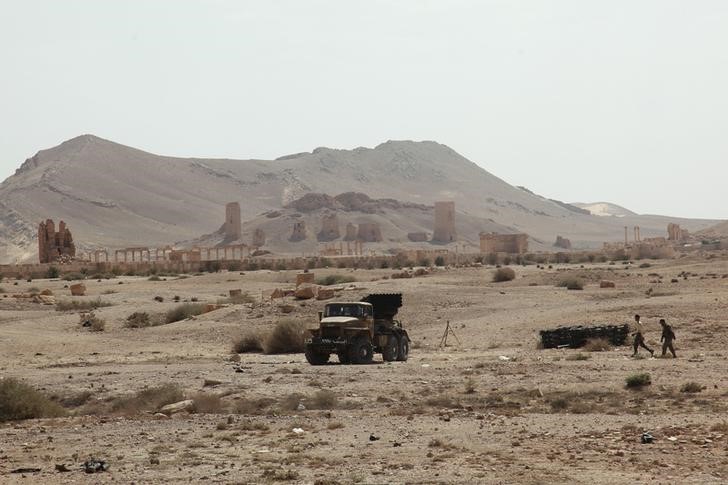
(20,401)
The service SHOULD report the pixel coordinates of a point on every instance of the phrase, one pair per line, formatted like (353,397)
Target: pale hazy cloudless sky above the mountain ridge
(624,101)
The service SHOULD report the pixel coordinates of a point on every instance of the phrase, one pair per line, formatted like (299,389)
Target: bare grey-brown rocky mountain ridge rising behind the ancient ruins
(116,196)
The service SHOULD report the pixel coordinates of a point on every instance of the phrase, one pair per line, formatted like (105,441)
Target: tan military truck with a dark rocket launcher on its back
(355,330)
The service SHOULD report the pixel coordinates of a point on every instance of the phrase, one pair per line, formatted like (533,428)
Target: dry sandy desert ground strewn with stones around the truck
(491,408)
